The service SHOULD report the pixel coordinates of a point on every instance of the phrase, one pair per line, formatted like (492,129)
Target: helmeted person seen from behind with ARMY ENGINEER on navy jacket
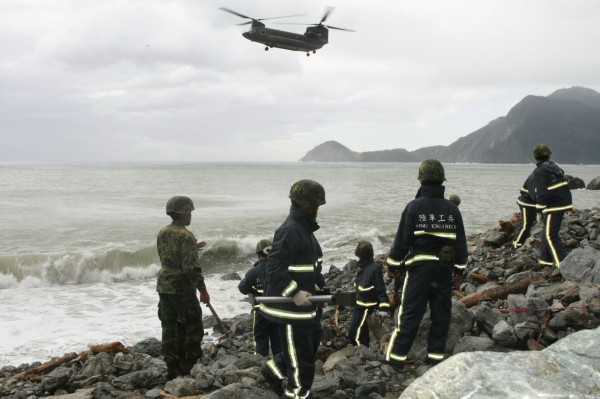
(431,245)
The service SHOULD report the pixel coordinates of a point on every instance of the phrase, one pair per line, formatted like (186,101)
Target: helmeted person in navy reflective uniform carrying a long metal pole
(292,273)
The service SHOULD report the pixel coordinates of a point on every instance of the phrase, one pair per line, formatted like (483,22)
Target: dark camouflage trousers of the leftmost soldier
(182,331)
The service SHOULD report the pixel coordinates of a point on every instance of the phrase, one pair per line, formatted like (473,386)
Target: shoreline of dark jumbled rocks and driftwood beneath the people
(517,308)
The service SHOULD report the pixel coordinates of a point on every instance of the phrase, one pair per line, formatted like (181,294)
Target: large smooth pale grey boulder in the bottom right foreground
(569,368)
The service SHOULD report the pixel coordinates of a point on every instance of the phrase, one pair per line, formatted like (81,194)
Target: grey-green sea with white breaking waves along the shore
(78,259)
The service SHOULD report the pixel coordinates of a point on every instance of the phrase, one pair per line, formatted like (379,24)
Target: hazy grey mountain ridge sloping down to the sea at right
(568,121)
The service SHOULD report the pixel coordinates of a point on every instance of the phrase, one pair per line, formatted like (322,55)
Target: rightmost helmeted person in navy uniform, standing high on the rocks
(553,199)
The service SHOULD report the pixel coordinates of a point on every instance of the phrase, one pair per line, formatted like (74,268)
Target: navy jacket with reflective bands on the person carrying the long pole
(291,267)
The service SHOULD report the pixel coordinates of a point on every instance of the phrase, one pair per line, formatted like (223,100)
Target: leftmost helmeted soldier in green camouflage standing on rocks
(179,277)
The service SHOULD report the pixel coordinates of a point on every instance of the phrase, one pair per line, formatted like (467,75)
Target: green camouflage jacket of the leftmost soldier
(180,271)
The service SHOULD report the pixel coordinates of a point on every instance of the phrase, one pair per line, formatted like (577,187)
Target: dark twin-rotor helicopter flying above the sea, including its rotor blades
(315,37)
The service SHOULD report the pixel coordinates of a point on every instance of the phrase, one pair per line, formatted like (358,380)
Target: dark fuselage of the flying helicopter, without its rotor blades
(309,41)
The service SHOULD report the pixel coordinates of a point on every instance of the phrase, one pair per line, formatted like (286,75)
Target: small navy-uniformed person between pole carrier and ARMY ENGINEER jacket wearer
(371,294)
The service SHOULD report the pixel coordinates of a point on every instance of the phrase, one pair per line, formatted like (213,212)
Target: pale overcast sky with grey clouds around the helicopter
(168,80)
